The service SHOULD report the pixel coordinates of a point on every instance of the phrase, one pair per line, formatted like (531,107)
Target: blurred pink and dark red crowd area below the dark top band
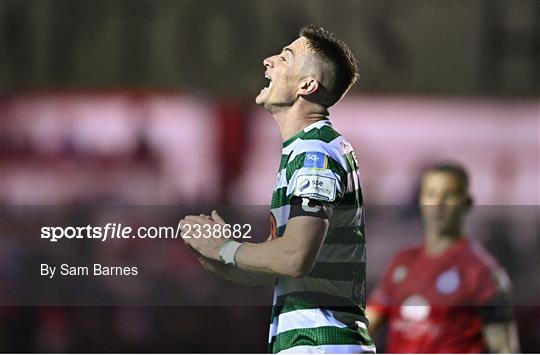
(153,156)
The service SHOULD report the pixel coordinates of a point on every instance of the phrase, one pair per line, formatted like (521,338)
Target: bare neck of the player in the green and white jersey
(293,119)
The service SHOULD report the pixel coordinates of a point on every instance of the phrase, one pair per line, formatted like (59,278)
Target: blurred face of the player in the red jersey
(443,202)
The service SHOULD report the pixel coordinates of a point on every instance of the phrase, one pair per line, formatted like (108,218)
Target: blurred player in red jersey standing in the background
(447,295)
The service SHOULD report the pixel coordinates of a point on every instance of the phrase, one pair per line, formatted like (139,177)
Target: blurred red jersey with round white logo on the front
(432,303)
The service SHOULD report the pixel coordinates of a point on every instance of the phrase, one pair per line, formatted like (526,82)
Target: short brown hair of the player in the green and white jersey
(335,52)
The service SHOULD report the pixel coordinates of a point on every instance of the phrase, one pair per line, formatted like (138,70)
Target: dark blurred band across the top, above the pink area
(446,47)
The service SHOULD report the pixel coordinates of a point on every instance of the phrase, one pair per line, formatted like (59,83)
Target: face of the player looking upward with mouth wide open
(284,70)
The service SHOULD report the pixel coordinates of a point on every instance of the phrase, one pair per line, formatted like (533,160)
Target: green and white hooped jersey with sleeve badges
(323,311)
